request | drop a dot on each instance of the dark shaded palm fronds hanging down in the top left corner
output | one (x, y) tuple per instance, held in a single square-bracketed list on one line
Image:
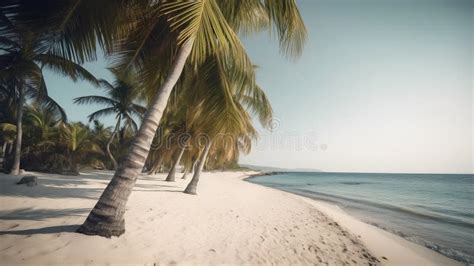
[(74, 27)]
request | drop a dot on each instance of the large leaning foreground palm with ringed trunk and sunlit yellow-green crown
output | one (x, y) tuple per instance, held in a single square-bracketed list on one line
[(196, 30)]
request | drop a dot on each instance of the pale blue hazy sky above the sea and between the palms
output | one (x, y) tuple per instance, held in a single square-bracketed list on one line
[(382, 86)]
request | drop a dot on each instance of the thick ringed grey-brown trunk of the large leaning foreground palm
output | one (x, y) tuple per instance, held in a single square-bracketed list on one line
[(107, 217)]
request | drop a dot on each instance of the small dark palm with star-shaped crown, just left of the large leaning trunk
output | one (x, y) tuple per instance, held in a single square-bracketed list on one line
[(121, 102)]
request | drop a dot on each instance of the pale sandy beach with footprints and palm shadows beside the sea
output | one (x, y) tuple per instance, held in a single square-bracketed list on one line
[(229, 221)]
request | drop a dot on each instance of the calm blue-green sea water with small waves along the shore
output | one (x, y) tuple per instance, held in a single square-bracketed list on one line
[(434, 210)]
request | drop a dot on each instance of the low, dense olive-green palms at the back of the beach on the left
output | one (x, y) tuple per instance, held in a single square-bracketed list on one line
[(52, 144)]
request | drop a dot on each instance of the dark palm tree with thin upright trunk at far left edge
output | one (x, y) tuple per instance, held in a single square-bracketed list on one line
[(25, 55)]
